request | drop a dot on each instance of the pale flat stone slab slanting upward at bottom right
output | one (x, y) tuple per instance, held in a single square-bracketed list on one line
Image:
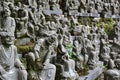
[(93, 74)]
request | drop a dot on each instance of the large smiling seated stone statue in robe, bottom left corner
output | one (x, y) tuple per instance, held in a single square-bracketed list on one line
[(11, 67)]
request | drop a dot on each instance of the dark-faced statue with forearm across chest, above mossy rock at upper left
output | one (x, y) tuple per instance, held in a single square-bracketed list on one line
[(21, 22)]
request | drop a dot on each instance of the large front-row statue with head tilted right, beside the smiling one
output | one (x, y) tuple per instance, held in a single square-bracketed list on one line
[(43, 51)]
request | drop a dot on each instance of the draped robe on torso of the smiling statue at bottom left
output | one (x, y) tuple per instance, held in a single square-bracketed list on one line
[(7, 63)]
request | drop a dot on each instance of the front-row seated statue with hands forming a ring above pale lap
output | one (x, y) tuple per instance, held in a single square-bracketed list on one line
[(65, 66)]
